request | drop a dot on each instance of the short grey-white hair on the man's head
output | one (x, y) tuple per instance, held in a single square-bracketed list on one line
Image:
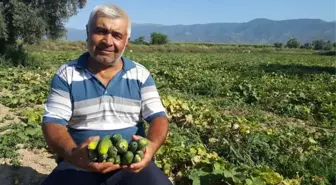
[(110, 11)]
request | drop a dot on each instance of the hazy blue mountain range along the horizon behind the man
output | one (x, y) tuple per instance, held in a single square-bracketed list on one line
[(257, 31)]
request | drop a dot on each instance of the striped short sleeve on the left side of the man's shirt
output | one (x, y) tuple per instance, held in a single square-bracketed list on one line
[(58, 107)]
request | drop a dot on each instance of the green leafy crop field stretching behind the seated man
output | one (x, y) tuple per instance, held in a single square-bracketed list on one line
[(235, 117)]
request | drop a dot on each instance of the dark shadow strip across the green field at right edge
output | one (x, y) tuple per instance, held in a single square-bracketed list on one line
[(297, 69)]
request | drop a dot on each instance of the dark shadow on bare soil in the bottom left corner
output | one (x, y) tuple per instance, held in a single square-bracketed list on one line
[(22, 175)]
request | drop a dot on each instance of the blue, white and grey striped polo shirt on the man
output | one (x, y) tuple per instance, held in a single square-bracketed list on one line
[(80, 101)]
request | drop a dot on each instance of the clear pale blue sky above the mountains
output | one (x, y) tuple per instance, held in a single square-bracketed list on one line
[(186, 12)]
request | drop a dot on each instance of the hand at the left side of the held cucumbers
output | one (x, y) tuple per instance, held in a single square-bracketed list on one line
[(79, 157)]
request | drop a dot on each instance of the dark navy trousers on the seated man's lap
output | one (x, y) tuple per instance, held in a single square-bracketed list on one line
[(150, 175)]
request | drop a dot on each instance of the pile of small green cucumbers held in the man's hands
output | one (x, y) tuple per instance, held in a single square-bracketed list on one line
[(117, 150)]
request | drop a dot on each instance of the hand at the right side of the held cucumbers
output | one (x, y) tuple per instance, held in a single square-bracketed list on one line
[(149, 152)]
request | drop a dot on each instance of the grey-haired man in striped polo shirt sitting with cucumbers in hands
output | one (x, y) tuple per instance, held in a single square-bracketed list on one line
[(102, 93)]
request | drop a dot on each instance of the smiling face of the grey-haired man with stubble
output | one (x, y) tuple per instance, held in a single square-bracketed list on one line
[(107, 39)]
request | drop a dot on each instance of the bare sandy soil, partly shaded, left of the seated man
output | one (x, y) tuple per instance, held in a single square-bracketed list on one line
[(35, 164)]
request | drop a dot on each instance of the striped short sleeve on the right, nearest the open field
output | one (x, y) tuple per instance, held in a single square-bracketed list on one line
[(151, 106)]
